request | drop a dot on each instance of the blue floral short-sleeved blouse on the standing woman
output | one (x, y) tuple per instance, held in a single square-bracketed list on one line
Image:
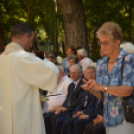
[(113, 105)]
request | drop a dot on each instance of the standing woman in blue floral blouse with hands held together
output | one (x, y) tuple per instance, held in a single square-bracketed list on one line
[(110, 86)]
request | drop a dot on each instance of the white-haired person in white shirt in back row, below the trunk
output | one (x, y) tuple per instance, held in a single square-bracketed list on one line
[(84, 60)]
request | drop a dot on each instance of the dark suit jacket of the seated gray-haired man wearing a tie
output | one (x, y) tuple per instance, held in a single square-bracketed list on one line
[(76, 97)]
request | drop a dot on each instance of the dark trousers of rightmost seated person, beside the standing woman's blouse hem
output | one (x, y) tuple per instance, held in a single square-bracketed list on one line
[(97, 129)]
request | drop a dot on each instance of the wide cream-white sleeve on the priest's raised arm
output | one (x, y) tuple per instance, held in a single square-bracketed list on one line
[(40, 73)]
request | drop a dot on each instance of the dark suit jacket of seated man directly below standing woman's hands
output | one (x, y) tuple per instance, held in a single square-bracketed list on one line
[(89, 100)]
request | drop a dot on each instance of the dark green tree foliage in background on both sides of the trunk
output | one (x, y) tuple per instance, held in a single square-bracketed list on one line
[(37, 13)]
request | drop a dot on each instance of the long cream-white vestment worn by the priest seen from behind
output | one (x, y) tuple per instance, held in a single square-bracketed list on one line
[(21, 76)]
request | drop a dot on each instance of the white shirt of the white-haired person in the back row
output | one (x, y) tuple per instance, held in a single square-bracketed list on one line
[(85, 62)]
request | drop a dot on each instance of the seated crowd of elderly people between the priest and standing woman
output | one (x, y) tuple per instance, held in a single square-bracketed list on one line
[(81, 112)]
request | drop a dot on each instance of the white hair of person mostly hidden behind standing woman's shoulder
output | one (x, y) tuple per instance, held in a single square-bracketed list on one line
[(128, 47)]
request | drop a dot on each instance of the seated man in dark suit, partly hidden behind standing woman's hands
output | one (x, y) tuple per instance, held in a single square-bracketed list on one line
[(85, 111)]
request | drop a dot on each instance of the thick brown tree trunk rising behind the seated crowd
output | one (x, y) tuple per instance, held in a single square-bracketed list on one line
[(74, 23)]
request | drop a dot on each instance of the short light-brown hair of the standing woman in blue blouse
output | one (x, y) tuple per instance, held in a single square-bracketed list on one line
[(112, 29)]
